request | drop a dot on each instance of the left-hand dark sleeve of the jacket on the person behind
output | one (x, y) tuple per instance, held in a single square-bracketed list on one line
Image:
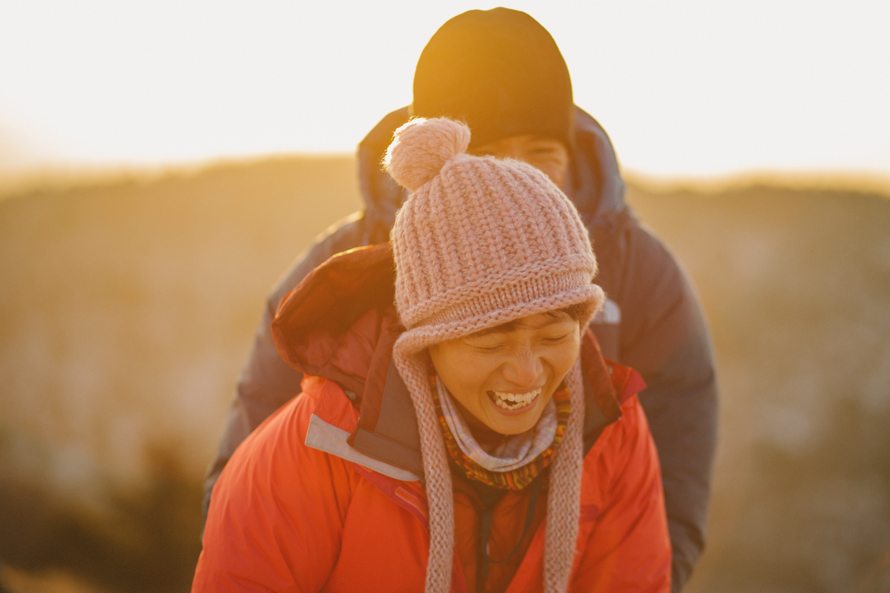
[(266, 381)]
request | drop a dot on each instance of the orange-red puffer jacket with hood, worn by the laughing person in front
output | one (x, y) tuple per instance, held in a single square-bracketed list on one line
[(326, 496)]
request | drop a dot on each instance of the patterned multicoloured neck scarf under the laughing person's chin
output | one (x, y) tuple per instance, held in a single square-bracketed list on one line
[(513, 474)]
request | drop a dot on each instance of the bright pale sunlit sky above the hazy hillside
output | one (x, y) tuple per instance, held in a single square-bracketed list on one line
[(685, 88)]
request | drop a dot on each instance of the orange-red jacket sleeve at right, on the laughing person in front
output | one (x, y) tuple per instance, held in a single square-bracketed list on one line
[(628, 549)]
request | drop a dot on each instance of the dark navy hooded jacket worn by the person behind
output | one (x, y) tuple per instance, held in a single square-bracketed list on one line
[(652, 322)]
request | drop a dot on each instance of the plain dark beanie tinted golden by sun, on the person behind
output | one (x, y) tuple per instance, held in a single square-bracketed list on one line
[(499, 71)]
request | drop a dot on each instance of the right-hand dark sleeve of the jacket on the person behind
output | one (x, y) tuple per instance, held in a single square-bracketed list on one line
[(664, 337)]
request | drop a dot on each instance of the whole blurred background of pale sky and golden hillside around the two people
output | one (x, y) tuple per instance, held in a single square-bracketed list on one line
[(162, 164)]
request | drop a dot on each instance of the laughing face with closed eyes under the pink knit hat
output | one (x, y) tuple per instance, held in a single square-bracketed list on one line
[(506, 376)]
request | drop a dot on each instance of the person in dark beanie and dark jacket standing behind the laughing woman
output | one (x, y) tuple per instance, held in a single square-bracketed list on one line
[(502, 73)]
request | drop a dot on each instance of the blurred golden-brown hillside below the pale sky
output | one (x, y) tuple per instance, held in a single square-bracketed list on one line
[(128, 308)]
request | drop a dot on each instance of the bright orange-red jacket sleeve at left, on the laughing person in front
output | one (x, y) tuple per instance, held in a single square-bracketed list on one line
[(278, 510)]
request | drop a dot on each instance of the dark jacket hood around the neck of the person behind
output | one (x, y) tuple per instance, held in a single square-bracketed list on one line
[(597, 188)]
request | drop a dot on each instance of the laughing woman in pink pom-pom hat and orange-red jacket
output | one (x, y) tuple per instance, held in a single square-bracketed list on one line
[(468, 438)]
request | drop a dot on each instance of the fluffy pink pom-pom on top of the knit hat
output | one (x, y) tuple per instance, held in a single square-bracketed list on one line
[(421, 147)]
